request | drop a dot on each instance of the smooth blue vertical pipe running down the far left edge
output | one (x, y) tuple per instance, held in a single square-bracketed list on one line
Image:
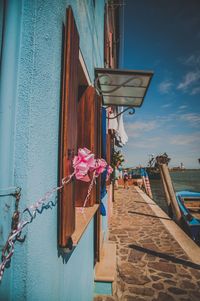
[(8, 98)]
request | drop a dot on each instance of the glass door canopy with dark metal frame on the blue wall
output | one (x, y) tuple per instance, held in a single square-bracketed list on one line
[(122, 87)]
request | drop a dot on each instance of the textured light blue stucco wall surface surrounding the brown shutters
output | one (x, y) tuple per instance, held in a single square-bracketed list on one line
[(36, 271)]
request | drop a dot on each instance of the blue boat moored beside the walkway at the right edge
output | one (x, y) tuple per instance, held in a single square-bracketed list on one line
[(189, 204)]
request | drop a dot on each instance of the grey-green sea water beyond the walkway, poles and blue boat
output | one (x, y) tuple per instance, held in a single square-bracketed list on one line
[(182, 180)]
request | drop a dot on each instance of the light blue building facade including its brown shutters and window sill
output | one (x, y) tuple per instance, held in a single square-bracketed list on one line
[(48, 104)]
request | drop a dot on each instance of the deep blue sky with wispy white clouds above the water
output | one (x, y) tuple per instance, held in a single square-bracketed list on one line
[(164, 36)]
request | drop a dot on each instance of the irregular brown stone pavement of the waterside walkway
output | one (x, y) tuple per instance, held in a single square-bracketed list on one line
[(150, 263)]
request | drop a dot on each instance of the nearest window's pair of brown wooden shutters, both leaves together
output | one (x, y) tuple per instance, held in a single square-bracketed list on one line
[(79, 127)]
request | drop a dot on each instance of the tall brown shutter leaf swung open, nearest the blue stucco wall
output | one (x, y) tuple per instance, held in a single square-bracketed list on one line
[(68, 128)]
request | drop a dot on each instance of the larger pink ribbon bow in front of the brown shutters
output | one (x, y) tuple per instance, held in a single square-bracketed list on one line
[(83, 163)]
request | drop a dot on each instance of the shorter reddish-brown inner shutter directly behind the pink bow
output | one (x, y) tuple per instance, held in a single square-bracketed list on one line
[(88, 137)]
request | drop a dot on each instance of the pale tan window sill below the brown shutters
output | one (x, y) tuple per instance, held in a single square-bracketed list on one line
[(82, 221)]
